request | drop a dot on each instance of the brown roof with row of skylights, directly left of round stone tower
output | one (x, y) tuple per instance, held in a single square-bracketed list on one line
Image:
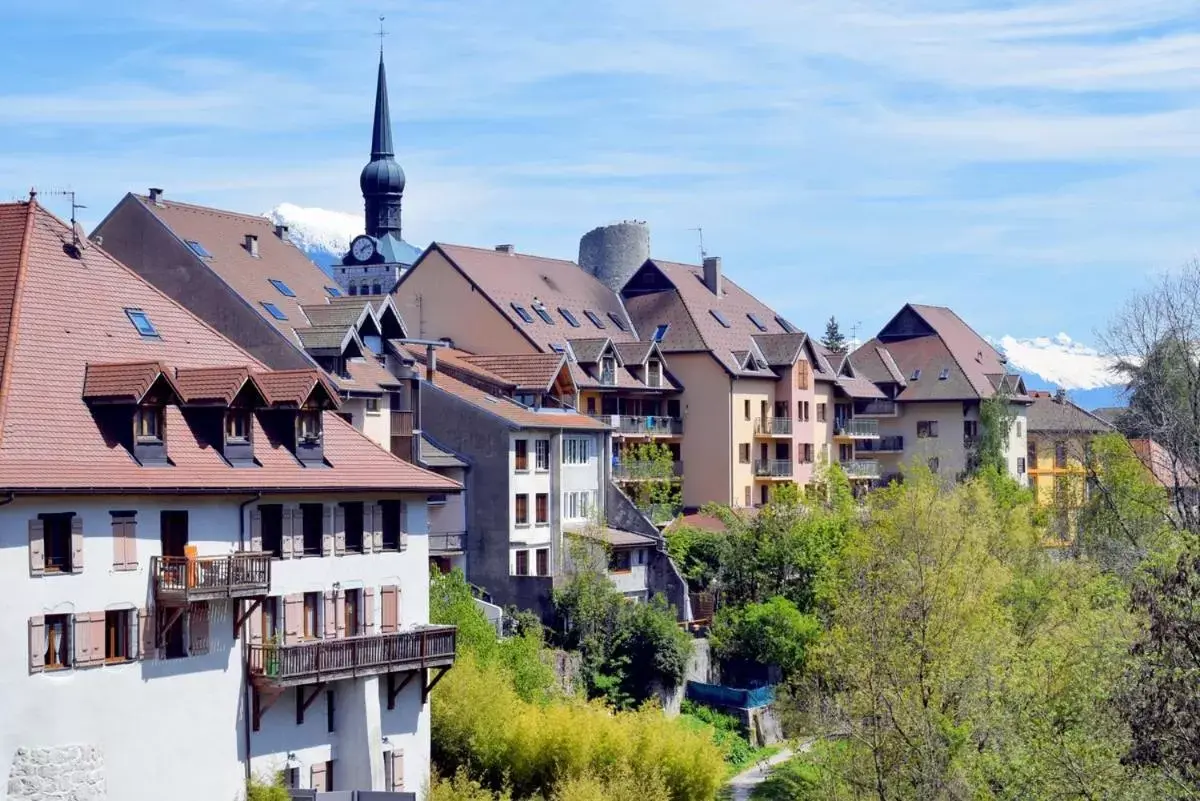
[(508, 279)]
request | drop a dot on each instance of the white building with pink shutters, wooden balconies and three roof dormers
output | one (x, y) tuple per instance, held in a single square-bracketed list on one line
[(208, 568)]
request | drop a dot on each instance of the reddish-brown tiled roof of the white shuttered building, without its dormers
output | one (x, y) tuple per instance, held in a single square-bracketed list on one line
[(51, 442)]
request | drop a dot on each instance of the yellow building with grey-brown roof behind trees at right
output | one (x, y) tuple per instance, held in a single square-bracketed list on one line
[(1060, 437)]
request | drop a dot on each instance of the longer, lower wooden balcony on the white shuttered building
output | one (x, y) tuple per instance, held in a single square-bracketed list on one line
[(369, 655)]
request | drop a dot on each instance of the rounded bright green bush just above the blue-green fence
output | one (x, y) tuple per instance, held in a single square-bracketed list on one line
[(773, 633)]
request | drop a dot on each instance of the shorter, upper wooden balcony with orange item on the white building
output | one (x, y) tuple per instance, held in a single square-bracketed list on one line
[(179, 581)]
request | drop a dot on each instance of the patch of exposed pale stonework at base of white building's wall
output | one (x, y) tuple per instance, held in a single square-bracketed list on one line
[(58, 774)]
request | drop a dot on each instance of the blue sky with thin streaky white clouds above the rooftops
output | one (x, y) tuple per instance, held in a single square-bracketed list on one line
[(1029, 164)]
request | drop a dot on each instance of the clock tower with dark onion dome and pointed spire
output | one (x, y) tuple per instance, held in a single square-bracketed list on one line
[(380, 257)]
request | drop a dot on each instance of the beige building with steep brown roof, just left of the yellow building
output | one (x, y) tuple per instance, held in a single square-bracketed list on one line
[(935, 372)]
